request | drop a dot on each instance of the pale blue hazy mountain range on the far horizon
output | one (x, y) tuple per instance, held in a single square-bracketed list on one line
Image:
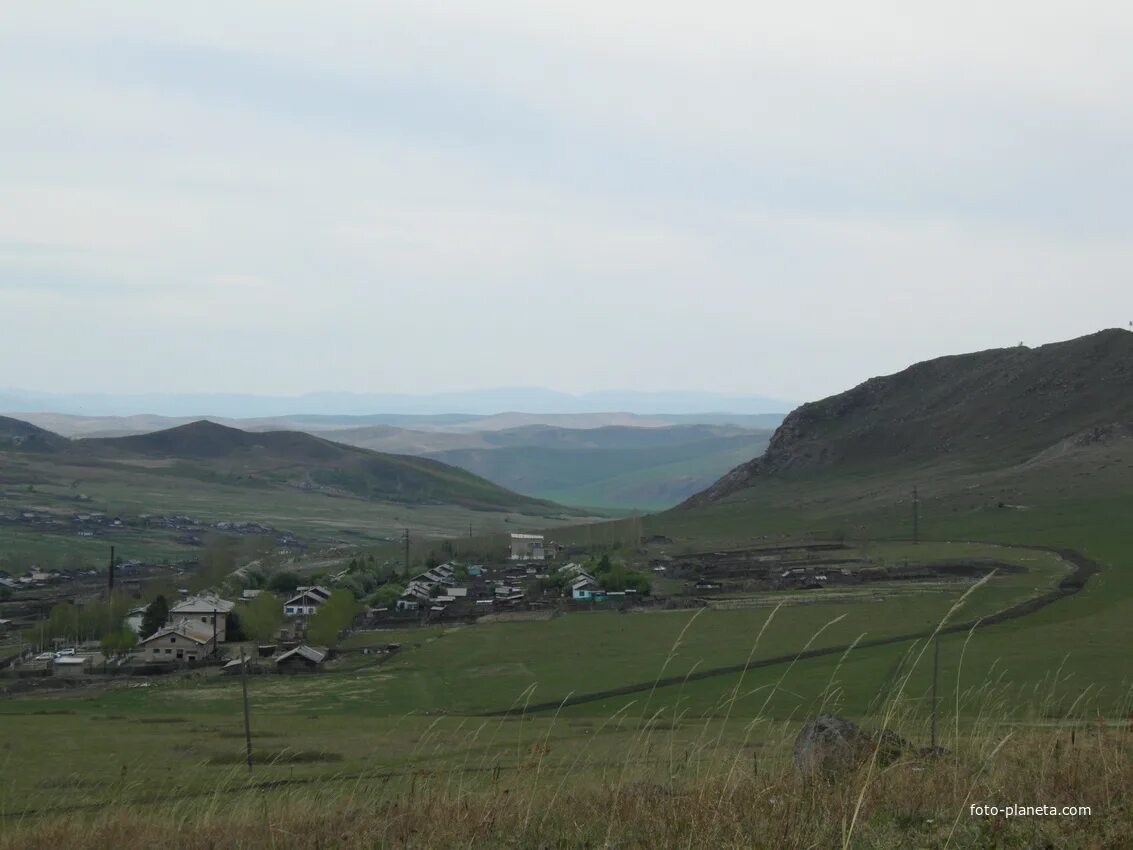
[(476, 403)]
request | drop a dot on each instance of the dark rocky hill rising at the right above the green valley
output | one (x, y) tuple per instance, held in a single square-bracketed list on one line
[(975, 413)]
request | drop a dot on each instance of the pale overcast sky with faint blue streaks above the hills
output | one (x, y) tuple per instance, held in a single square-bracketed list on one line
[(782, 199)]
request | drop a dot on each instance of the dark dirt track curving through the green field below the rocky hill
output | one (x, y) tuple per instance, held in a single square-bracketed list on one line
[(1084, 569)]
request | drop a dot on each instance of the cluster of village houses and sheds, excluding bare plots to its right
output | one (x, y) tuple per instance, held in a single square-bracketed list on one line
[(205, 630)]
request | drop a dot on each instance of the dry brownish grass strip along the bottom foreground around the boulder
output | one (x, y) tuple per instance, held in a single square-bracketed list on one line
[(913, 803)]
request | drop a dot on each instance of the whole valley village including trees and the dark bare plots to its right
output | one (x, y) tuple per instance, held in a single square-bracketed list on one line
[(260, 624)]
